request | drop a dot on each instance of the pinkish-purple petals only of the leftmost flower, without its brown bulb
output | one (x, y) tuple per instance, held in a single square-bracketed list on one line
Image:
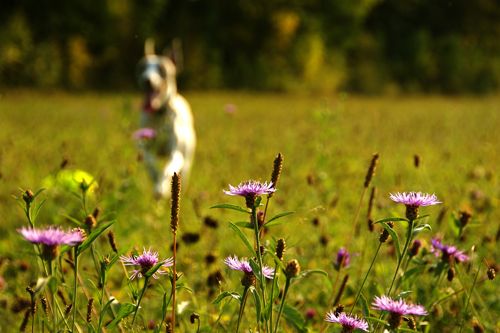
[(50, 236)]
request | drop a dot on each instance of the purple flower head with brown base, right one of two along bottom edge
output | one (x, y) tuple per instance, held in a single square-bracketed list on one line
[(398, 309)]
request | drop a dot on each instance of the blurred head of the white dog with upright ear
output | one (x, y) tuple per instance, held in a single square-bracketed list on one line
[(156, 75)]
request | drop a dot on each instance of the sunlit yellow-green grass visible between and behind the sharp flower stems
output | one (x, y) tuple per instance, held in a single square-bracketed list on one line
[(328, 139)]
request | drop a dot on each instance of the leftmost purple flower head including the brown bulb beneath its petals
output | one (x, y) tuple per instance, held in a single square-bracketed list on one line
[(50, 238)]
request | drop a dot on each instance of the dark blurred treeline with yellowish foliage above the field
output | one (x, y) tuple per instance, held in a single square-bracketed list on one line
[(364, 46)]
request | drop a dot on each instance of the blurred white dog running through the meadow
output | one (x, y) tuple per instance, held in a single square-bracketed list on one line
[(166, 135)]
